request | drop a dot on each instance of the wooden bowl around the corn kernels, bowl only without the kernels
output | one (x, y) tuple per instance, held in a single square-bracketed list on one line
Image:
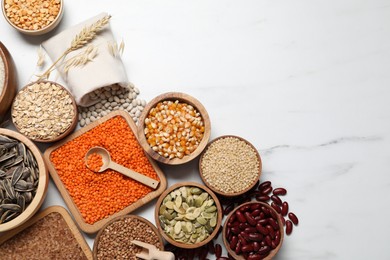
[(183, 98)]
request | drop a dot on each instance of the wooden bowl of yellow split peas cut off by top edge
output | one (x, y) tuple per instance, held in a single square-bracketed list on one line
[(33, 17)]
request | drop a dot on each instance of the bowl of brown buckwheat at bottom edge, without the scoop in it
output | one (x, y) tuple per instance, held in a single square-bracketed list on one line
[(114, 239)]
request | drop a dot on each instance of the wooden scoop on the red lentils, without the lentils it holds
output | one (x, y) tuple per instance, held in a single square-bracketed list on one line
[(108, 164)]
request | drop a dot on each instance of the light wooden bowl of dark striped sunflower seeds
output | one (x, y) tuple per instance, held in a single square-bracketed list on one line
[(23, 179)]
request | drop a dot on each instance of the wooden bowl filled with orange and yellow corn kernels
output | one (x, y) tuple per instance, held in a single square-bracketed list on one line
[(174, 128)]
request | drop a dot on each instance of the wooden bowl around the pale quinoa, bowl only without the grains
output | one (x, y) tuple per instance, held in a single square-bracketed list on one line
[(225, 194)]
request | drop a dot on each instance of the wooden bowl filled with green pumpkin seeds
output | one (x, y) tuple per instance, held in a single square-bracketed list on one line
[(188, 215)]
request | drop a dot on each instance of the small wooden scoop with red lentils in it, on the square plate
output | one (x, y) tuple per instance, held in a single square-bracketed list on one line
[(99, 153)]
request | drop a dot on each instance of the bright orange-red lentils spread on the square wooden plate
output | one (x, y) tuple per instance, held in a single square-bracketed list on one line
[(99, 195)]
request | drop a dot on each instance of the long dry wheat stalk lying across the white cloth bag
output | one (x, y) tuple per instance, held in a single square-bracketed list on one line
[(86, 35)]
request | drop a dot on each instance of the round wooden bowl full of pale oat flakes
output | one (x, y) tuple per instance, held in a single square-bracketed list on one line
[(44, 111)]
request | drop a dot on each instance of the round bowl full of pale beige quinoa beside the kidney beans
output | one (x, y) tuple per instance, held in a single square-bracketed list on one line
[(230, 165)]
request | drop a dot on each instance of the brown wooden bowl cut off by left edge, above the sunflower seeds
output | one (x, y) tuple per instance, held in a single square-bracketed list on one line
[(10, 81)]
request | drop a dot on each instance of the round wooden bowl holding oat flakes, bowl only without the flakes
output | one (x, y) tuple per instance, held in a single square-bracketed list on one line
[(66, 132)]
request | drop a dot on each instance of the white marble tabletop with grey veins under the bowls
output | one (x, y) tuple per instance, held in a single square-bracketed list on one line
[(307, 82)]
